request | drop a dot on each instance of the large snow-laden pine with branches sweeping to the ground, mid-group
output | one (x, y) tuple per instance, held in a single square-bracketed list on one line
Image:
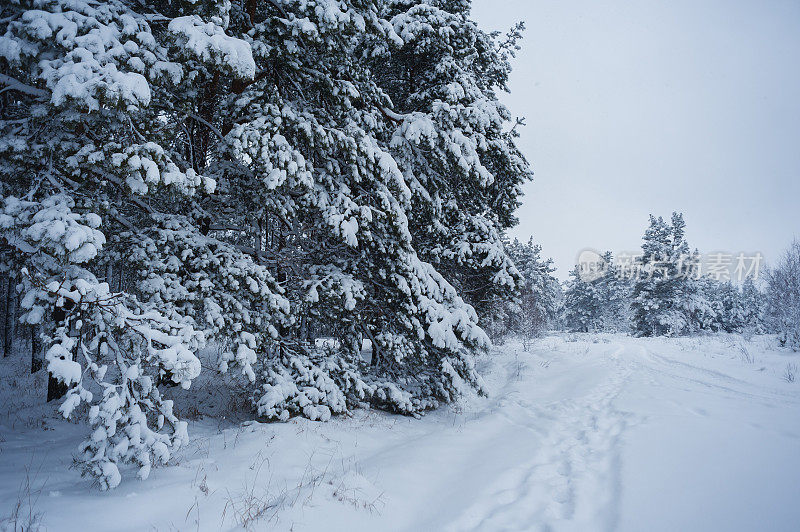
[(308, 159)]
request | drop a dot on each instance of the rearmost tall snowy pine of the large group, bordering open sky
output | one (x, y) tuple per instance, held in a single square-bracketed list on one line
[(450, 137)]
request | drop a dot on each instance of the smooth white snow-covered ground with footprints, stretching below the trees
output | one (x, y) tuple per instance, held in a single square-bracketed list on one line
[(580, 432)]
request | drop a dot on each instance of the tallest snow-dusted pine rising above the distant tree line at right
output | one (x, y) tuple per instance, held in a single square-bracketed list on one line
[(665, 297)]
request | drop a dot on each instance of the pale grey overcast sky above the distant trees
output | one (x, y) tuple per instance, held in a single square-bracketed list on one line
[(647, 107)]
